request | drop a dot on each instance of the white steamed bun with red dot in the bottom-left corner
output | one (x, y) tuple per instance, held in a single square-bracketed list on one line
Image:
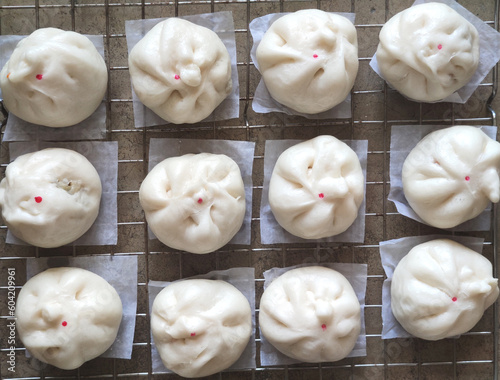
[(67, 316)]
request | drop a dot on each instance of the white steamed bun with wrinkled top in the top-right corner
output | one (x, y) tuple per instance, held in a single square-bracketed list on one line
[(428, 51)]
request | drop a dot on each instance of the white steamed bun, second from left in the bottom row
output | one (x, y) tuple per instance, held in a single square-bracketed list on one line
[(200, 327)]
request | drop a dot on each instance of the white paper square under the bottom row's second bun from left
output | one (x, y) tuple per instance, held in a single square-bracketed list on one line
[(243, 280)]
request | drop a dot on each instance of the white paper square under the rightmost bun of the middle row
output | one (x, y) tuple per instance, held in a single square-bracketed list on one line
[(403, 140)]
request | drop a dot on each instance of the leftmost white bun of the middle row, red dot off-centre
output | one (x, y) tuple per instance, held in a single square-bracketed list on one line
[(51, 197)]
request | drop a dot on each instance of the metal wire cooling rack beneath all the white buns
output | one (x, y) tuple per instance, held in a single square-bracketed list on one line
[(375, 109)]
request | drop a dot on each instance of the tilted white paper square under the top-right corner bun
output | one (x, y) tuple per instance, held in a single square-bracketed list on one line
[(489, 53)]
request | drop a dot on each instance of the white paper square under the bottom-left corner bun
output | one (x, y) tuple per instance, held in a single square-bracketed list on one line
[(121, 273)]
